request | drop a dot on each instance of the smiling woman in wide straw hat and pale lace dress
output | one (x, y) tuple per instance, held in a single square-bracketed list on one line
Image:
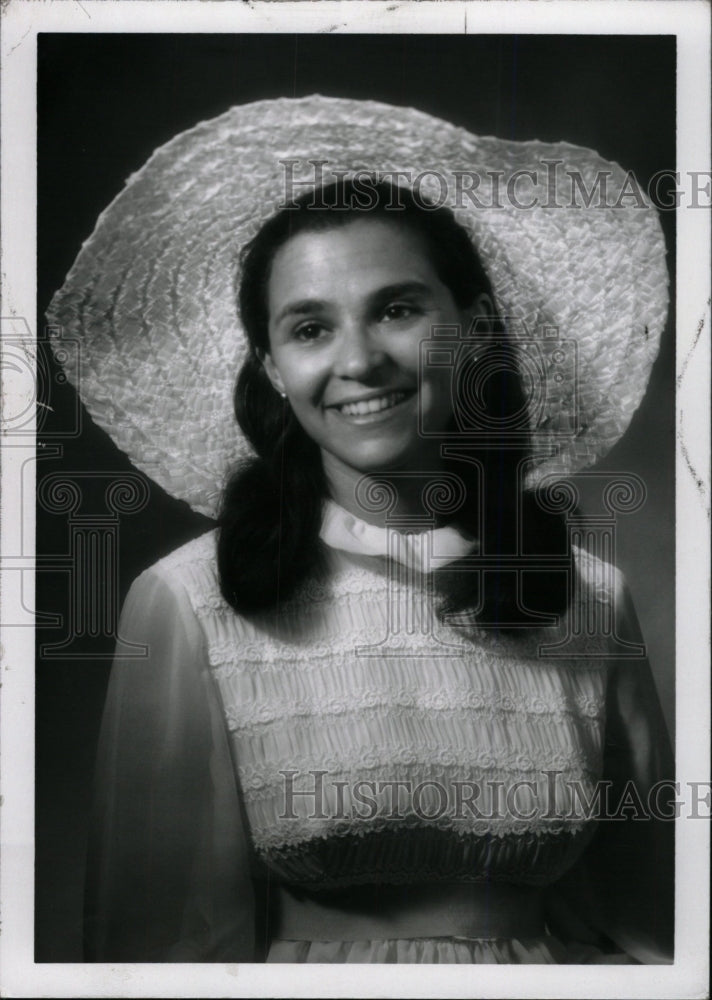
[(355, 736)]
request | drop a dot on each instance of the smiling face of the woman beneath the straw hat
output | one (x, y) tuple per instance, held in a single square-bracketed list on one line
[(348, 309)]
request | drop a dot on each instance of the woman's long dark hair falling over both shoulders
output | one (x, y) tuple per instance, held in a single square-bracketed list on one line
[(272, 507)]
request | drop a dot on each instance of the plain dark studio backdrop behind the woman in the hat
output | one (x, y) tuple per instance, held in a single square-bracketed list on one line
[(105, 102)]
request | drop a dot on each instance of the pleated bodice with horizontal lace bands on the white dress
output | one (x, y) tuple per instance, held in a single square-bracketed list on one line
[(354, 685)]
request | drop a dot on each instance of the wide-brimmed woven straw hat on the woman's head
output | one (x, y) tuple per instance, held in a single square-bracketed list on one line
[(151, 295)]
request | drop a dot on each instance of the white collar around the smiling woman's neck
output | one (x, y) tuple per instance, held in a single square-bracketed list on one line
[(424, 551)]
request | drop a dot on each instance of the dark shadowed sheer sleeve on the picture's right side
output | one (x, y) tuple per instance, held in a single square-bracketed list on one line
[(623, 888)]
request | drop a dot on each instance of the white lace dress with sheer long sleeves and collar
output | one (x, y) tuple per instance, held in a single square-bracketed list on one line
[(349, 780)]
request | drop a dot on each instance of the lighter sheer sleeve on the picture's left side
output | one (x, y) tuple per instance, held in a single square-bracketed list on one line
[(168, 867)]
